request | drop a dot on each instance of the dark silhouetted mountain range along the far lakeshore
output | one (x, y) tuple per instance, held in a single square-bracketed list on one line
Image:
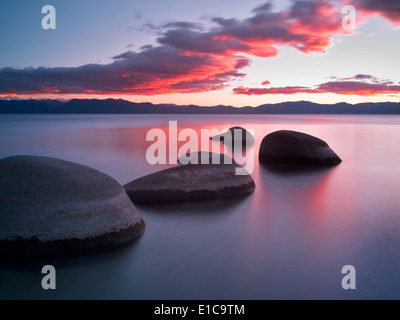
[(119, 106)]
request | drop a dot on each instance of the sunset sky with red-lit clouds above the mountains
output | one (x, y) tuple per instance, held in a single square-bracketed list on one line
[(209, 52)]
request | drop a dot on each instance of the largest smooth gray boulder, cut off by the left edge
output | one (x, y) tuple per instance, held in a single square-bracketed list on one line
[(50, 206)]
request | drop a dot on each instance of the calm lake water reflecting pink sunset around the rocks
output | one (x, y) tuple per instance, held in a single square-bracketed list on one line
[(287, 240)]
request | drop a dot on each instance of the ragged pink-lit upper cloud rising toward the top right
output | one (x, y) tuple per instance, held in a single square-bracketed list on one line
[(307, 26)]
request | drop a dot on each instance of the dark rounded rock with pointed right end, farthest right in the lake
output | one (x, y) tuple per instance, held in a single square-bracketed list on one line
[(296, 148)]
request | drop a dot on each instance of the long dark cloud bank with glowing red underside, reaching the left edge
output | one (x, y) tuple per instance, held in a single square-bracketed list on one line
[(155, 70)]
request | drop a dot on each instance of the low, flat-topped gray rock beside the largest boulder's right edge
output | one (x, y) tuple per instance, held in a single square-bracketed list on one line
[(190, 183)]
